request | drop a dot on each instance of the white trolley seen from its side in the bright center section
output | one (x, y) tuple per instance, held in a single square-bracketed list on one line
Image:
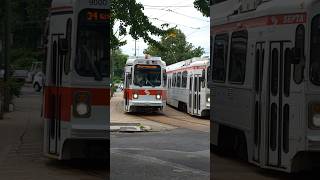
[(187, 86)]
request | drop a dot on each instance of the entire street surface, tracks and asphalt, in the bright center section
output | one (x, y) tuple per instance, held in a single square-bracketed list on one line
[(177, 147)]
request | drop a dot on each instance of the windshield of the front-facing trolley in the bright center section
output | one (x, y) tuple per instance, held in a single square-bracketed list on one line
[(147, 75)]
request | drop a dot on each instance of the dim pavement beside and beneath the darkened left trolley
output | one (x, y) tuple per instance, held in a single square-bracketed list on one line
[(21, 144)]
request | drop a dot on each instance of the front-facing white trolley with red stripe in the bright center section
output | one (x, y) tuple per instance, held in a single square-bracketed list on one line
[(145, 81)]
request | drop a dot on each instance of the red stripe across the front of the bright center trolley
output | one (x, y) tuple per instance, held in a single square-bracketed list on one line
[(142, 92)]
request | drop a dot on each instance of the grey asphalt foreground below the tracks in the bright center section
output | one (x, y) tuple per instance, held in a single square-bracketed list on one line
[(176, 154)]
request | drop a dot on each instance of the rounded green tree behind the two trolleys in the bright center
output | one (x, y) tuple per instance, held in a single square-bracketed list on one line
[(176, 48)]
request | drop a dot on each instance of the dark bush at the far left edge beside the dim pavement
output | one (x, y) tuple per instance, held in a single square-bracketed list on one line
[(9, 90)]
